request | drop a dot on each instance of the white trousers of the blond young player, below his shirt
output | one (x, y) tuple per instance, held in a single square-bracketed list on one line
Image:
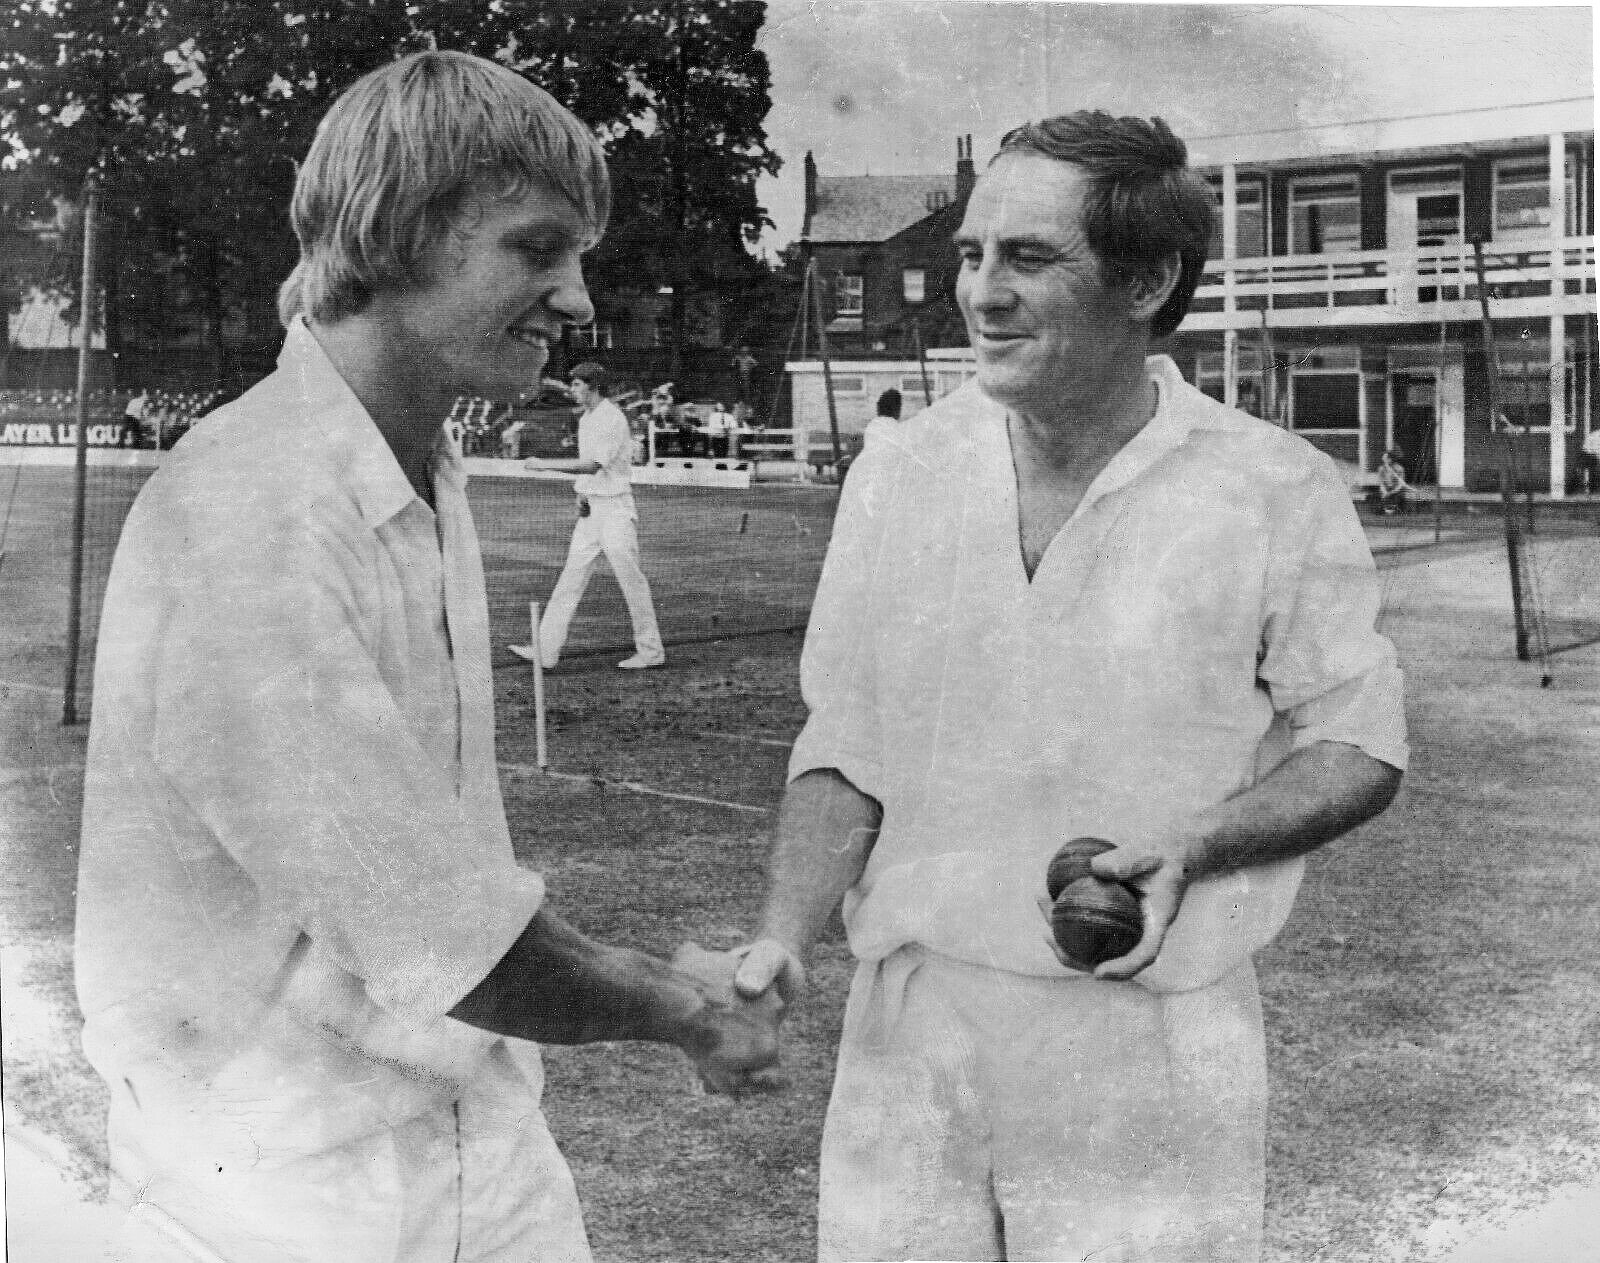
[(476, 1181)]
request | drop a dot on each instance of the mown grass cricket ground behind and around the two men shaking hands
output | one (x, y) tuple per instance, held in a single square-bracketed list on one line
[(1431, 1016)]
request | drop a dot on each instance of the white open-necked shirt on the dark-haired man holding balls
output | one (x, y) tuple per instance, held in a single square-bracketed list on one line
[(1209, 607)]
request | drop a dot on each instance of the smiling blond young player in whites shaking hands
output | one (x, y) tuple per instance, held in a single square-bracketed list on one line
[(310, 966)]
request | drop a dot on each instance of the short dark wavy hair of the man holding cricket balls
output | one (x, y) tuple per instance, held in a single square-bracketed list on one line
[(1143, 202)]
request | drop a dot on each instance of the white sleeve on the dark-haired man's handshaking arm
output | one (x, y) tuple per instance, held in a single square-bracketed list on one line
[(839, 664)]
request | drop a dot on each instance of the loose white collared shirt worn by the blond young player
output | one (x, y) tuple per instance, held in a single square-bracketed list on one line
[(295, 854)]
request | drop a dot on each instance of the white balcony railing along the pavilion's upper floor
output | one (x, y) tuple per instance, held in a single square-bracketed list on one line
[(1390, 279)]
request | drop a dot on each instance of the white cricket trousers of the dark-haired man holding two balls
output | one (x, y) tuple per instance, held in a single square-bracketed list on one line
[(983, 1115)]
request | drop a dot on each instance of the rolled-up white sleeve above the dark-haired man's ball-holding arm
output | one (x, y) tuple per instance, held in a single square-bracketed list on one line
[(1324, 662)]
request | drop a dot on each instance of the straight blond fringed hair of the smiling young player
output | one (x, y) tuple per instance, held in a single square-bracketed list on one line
[(401, 154)]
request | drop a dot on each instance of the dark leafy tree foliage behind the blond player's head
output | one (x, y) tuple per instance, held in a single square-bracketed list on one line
[(194, 113)]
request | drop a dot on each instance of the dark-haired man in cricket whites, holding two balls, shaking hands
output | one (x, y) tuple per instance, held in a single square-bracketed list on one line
[(1081, 601)]
